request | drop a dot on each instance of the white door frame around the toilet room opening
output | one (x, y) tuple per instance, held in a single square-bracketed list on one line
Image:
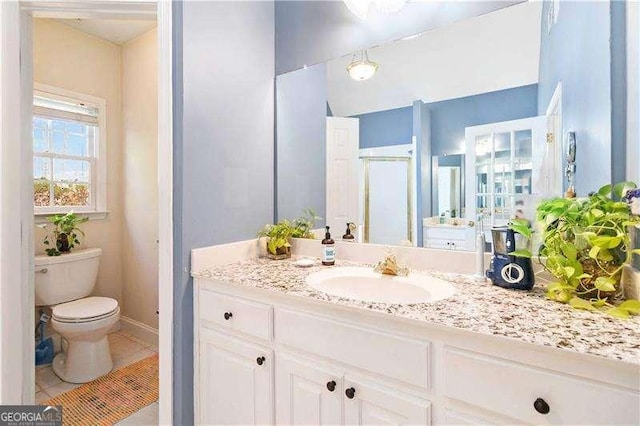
[(17, 224)]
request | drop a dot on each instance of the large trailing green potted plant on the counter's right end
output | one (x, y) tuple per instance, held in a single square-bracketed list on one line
[(585, 244)]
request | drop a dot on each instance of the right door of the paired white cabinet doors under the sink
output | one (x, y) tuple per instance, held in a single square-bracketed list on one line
[(369, 404)]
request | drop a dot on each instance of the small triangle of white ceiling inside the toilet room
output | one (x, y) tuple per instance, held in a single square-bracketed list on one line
[(118, 31)]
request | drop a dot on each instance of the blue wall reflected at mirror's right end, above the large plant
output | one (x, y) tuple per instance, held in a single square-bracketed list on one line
[(577, 53)]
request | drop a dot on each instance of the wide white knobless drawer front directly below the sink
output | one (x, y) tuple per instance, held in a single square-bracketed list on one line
[(396, 357)]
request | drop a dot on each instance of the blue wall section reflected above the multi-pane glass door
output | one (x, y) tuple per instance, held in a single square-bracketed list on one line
[(450, 117)]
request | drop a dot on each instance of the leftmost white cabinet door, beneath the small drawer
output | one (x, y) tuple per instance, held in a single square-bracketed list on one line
[(235, 380)]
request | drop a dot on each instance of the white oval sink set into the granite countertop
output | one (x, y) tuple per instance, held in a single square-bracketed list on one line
[(367, 285)]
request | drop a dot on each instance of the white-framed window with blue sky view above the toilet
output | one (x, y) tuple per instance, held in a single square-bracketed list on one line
[(68, 152)]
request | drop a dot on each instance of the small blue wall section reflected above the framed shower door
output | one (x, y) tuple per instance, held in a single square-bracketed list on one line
[(390, 127)]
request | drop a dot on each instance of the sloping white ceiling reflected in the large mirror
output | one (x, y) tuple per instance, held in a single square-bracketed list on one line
[(491, 52)]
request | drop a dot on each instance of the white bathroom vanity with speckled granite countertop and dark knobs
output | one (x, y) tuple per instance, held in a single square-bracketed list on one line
[(270, 349)]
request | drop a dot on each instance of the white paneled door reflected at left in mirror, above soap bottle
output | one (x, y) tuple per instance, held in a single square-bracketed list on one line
[(342, 173)]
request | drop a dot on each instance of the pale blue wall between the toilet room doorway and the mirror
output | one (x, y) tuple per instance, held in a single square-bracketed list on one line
[(224, 147)]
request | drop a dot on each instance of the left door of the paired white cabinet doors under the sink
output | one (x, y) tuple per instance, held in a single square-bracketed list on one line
[(306, 393)]
